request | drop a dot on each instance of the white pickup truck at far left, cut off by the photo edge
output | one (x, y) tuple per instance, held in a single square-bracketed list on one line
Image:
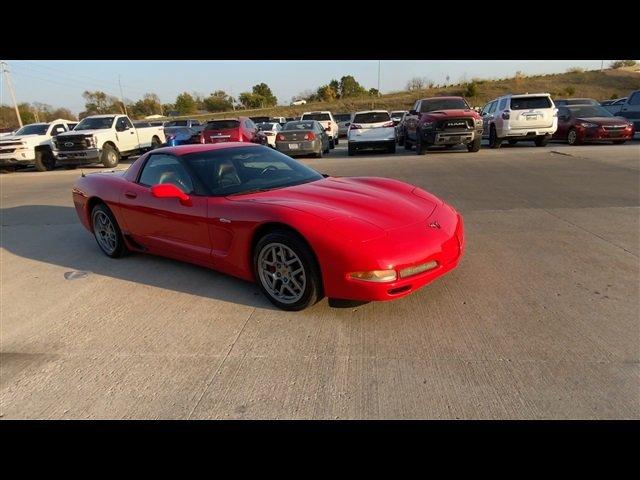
[(31, 144)]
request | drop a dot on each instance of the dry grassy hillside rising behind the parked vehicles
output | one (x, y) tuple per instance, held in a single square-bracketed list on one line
[(594, 84)]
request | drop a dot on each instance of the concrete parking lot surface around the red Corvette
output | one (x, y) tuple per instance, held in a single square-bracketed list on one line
[(541, 320)]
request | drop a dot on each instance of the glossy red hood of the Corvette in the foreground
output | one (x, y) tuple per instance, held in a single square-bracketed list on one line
[(387, 204)]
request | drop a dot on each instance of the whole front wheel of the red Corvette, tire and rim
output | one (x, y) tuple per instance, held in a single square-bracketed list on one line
[(286, 271)]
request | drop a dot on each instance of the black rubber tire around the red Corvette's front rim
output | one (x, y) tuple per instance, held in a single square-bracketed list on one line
[(312, 291)]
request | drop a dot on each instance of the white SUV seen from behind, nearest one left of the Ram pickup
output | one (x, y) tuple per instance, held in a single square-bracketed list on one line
[(371, 129)]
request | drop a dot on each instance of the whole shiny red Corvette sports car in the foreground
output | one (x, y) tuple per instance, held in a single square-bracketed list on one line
[(255, 213)]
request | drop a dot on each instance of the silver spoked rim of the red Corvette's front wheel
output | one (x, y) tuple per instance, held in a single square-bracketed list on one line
[(282, 273)]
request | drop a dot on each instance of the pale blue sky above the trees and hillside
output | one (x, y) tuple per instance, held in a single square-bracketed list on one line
[(61, 83)]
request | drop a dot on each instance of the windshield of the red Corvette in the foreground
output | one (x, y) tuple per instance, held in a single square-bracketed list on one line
[(232, 171)]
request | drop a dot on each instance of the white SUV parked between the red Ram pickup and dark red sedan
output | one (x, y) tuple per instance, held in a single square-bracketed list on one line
[(520, 117)]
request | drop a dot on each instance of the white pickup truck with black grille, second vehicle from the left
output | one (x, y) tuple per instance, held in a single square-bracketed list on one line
[(105, 139)]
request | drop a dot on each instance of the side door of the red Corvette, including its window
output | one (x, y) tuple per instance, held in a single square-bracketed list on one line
[(165, 225)]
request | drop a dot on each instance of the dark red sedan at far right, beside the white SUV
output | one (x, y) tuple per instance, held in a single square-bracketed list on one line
[(591, 123)]
